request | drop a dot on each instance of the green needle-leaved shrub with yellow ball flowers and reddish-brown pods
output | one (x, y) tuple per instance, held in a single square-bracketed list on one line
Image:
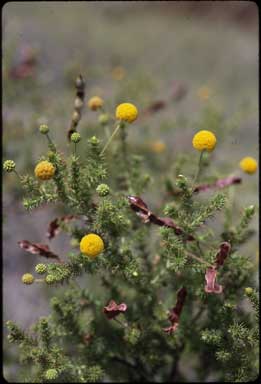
[(145, 263)]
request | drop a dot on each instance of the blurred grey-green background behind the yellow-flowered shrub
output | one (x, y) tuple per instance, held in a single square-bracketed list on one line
[(186, 65)]
